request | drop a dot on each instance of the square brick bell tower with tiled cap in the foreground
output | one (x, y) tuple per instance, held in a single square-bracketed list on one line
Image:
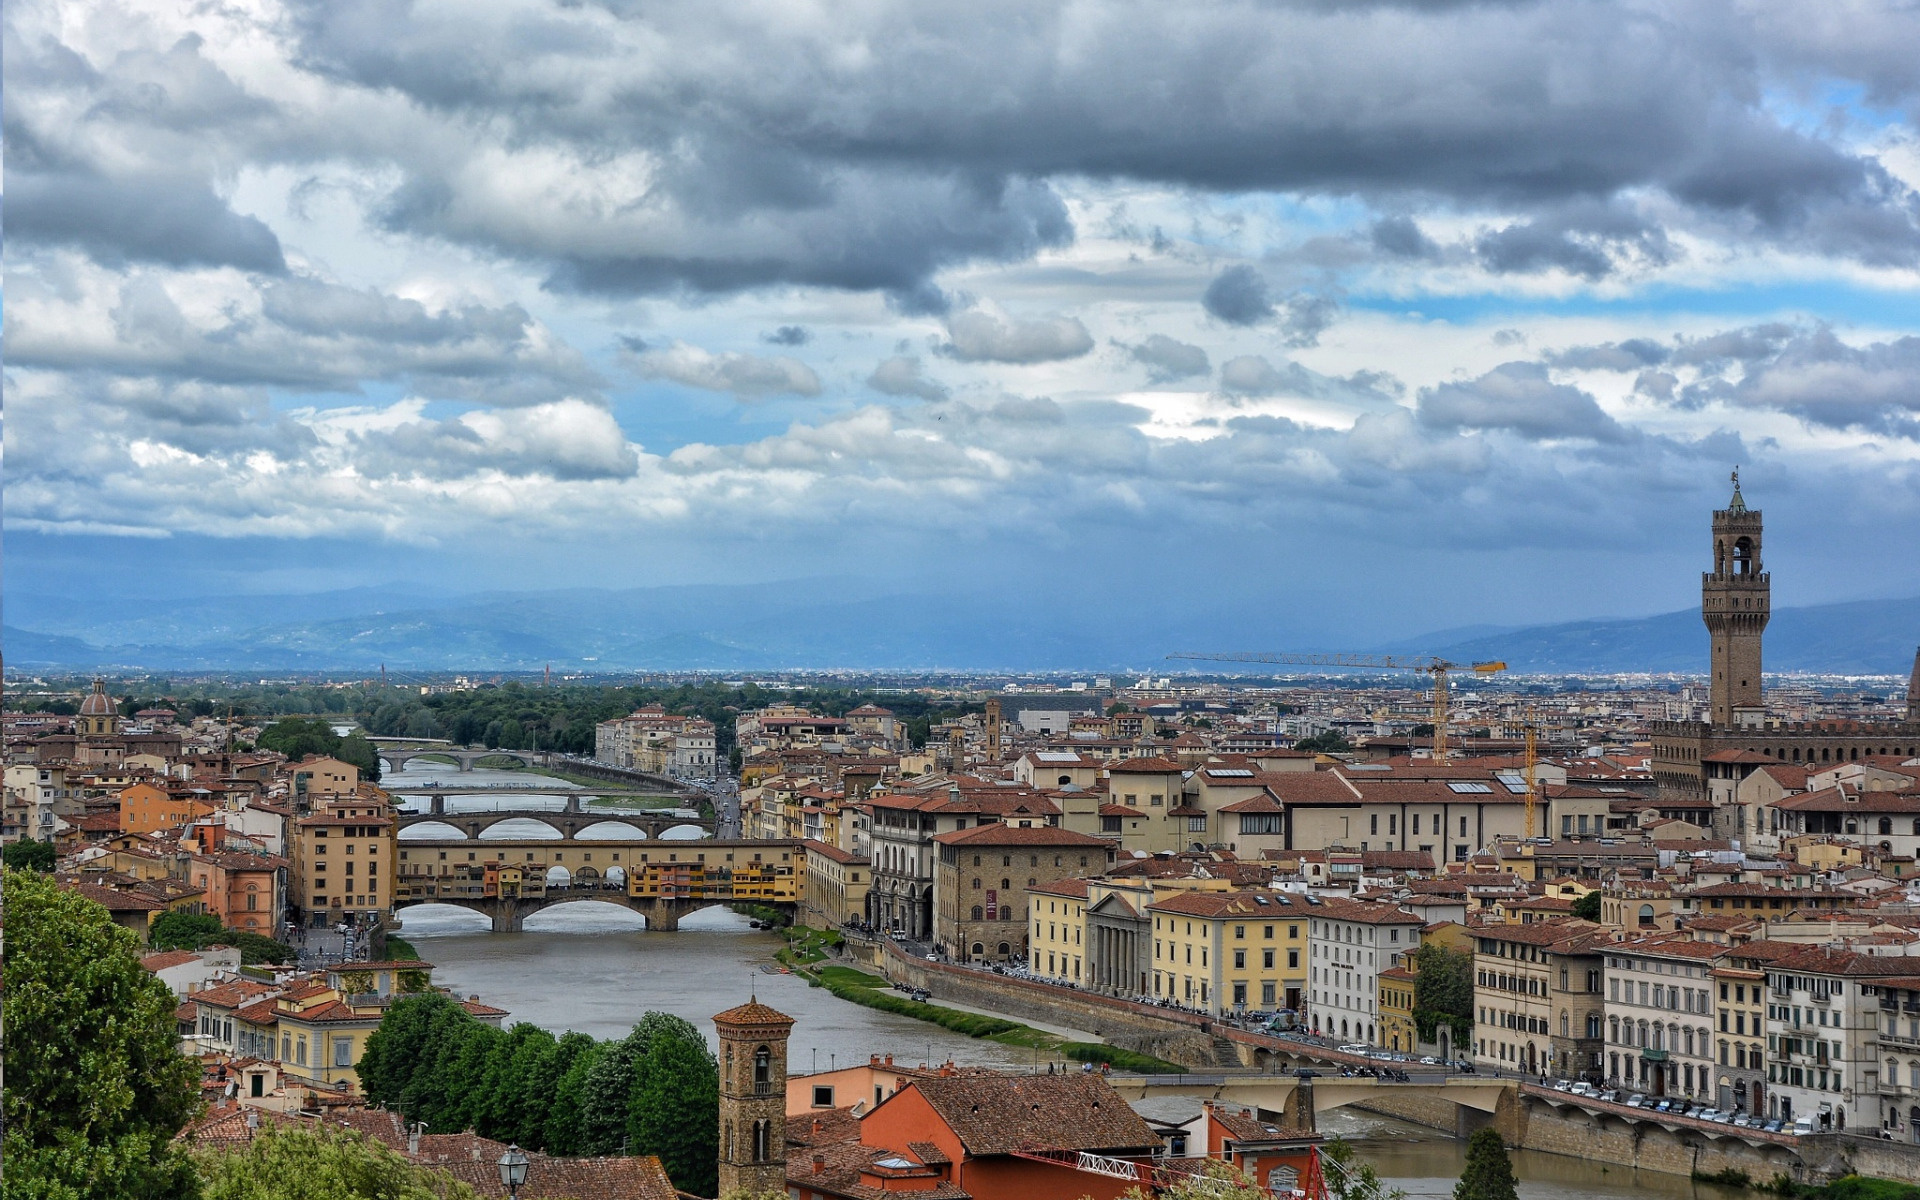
[(754, 1099)]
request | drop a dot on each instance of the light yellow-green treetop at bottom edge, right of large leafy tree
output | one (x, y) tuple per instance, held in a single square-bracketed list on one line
[(320, 1164)]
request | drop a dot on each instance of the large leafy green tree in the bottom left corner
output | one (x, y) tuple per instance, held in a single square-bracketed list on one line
[(95, 1082)]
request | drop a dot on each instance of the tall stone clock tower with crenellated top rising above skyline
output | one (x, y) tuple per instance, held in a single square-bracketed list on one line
[(1735, 604)]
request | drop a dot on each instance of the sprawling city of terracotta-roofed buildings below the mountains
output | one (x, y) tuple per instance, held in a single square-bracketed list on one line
[(1685, 903)]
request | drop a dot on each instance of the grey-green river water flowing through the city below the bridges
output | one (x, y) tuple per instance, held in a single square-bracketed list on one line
[(598, 971)]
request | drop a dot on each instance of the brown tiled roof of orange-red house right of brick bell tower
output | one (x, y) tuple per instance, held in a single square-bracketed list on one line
[(997, 1115)]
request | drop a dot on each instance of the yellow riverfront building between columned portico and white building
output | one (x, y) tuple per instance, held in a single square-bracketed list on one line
[(1232, 951)]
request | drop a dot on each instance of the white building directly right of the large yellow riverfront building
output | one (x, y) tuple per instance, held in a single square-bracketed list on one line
[(1349, 946)]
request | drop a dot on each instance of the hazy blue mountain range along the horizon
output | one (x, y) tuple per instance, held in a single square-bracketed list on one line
[(805, 625)]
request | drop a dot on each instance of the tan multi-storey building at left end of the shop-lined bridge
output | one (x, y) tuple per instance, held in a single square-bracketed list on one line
[(345, 859)]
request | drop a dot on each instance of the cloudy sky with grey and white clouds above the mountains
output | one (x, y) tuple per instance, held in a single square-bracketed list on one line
[(1406, 314)]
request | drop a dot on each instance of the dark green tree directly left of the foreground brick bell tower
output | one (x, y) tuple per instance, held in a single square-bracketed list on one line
[(677, 1105)]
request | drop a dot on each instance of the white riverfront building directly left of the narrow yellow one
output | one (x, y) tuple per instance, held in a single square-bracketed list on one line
[(1660, 1017)]
